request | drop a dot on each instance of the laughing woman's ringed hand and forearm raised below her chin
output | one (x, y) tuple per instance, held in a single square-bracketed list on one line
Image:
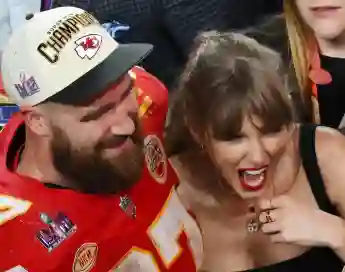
[(286, 221)]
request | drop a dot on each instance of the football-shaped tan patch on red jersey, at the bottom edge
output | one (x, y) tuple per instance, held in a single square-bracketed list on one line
[(85, 257)]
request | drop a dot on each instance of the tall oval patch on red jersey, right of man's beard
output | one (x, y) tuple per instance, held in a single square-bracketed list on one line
[(156, 159)]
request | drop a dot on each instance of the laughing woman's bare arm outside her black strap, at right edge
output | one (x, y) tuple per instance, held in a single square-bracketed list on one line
[(330, 147)]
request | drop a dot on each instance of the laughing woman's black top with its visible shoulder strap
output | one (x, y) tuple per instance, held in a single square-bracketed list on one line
[(317, 259)]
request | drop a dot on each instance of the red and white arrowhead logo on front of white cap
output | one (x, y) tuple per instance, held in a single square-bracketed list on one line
[(88, 46)]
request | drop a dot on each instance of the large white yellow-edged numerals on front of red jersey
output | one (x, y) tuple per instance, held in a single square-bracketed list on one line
[(165, 232)]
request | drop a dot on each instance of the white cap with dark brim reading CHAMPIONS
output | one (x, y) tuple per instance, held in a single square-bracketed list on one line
[(64, 55)]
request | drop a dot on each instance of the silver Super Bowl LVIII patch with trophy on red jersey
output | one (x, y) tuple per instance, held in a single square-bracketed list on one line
[(57, 230)]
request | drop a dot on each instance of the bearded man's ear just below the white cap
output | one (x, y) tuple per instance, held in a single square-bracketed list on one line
[(37, 121)]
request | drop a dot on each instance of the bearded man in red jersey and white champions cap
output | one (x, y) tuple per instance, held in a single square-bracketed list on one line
[(76, 191)]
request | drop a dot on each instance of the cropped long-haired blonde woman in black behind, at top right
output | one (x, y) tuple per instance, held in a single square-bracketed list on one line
[(316, 38)]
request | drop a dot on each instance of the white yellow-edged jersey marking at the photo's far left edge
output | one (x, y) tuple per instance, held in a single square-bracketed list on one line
[(11, 207)]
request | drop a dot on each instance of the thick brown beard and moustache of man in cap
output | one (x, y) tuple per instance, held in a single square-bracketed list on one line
[(86, 170)]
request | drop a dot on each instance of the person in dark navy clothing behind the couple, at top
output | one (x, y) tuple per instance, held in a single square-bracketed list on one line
[(172, 25)]
